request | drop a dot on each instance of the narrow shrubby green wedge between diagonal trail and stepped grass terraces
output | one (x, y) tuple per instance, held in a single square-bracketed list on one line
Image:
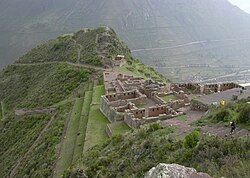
[(40, 162)]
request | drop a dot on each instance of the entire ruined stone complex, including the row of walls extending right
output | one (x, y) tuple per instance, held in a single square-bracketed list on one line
[(137, 101)]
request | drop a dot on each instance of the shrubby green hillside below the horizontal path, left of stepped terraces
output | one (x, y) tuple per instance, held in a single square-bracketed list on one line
[(52, 84)]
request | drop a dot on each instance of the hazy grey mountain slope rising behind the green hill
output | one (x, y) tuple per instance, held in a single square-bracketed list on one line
[(210, 33)]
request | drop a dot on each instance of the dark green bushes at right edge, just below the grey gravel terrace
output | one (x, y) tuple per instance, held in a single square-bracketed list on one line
[(238, 112)]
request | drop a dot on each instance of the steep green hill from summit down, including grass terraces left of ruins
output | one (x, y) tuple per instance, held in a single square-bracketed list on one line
[(48, 97)]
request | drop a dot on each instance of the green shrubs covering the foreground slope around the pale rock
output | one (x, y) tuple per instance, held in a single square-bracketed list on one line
[(133, 154)]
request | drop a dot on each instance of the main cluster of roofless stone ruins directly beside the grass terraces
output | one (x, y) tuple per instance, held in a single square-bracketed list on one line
[(137, 101)]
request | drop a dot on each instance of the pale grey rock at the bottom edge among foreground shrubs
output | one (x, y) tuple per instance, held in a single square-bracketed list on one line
[(174, 171)]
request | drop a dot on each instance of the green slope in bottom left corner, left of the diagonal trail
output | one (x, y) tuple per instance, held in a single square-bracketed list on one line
[(16, 138)]
